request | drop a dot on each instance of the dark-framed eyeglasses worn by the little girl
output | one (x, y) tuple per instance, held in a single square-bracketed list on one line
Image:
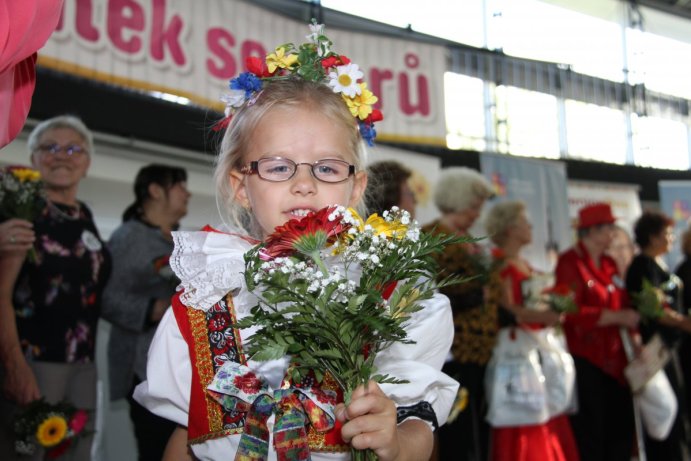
[(278, 169)]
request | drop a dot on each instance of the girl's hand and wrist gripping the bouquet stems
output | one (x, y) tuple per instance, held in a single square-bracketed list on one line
[(370, 422)]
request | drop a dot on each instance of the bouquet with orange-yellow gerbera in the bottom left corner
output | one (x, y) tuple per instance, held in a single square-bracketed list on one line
[(53, 427)]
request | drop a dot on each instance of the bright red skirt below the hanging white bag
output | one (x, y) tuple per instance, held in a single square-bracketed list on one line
[(552, 441)]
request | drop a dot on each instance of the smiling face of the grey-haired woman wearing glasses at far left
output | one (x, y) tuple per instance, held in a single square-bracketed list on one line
[(61, 158)]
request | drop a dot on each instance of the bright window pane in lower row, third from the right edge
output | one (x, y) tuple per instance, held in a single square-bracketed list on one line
[(527, 123)]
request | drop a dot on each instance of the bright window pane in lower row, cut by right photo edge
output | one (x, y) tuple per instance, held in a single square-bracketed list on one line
[(660, 143)]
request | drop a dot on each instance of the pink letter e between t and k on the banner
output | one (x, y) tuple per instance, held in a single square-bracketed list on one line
[(125, 19)]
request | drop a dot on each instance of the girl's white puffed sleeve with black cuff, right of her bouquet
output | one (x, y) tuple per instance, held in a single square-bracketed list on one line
[(429, 394)]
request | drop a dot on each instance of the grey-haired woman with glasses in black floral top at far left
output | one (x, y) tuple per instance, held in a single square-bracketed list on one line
[(49, 305)]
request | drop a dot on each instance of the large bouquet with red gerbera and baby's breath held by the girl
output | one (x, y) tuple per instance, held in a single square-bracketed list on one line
[(335, 289)]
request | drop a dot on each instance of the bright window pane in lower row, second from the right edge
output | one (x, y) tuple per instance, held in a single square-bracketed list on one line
[(595, 132)]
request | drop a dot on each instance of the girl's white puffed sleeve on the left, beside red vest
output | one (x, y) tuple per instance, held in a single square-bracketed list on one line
[(166, 392)]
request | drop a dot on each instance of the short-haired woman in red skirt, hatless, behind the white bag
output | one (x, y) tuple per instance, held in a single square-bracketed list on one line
[(510, 230)]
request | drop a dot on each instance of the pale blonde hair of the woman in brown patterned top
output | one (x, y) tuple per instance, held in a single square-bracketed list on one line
[(459, 188)]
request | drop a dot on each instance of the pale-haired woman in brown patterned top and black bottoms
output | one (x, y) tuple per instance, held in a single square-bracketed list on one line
[(459, 196)]
